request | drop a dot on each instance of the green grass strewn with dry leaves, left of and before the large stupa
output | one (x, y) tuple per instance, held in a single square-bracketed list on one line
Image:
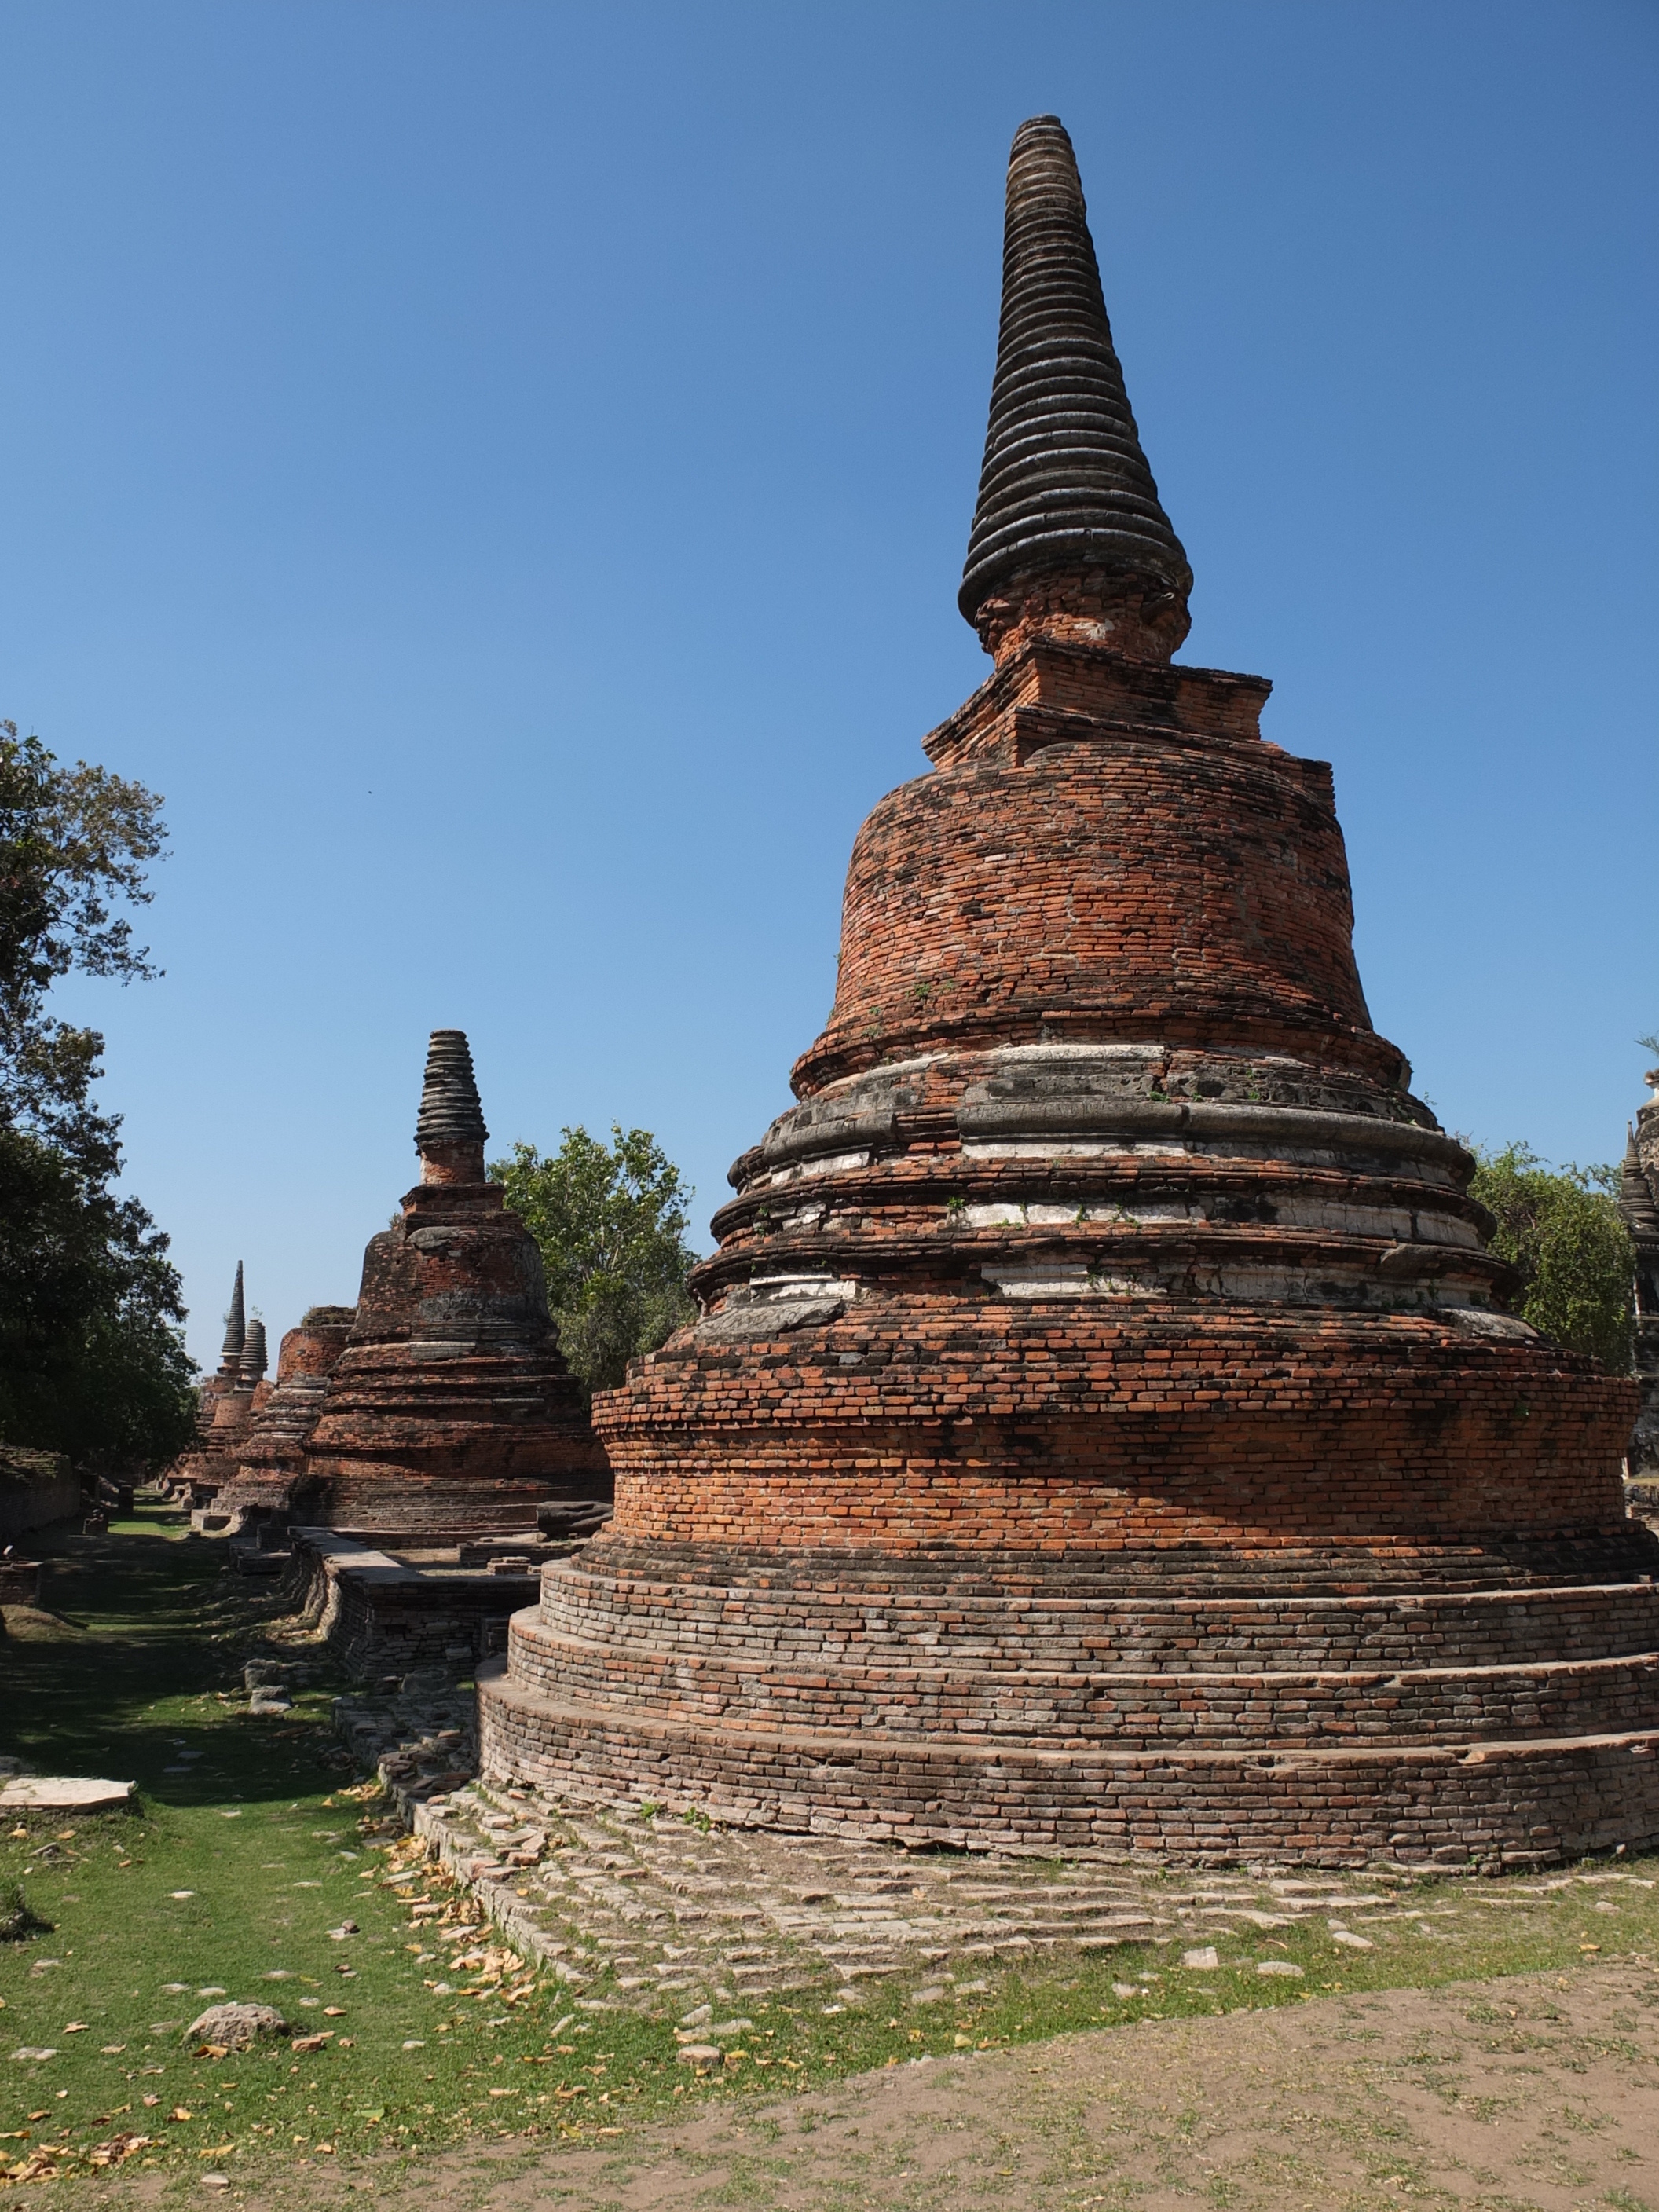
[(253, 1841)]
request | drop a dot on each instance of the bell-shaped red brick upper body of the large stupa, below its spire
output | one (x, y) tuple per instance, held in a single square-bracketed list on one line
[(1118, 881)]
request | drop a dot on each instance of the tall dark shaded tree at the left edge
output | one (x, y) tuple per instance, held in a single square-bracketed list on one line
[(92, 1359)]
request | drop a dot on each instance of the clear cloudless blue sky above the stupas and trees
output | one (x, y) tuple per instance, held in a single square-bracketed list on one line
[(503, 474)]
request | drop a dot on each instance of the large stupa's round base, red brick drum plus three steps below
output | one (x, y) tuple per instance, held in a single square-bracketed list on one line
[(1165, 1653)]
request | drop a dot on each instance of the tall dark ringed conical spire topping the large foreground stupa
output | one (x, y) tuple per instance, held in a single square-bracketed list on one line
[(1065, 483)]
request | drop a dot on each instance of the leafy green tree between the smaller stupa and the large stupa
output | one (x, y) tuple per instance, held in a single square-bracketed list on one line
[(612, 1224)]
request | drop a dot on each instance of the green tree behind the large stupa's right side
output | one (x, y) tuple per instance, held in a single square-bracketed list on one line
[(1567, 1238)]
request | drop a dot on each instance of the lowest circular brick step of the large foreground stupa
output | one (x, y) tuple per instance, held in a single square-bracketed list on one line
[(1505, 1804)]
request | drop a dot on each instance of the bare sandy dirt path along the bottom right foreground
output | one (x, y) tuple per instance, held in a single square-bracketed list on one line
[(1521, 2096)]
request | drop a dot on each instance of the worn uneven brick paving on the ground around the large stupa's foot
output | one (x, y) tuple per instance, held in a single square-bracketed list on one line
[(632, 1912)]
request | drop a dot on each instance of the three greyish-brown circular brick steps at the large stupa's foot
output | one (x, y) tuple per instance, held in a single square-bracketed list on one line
[(1297, 1720)]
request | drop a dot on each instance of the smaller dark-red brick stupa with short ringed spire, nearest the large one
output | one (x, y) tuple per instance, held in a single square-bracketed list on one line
[(450, 1410)]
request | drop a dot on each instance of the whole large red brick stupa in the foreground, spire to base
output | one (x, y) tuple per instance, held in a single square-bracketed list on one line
[(1105, 1426)]
